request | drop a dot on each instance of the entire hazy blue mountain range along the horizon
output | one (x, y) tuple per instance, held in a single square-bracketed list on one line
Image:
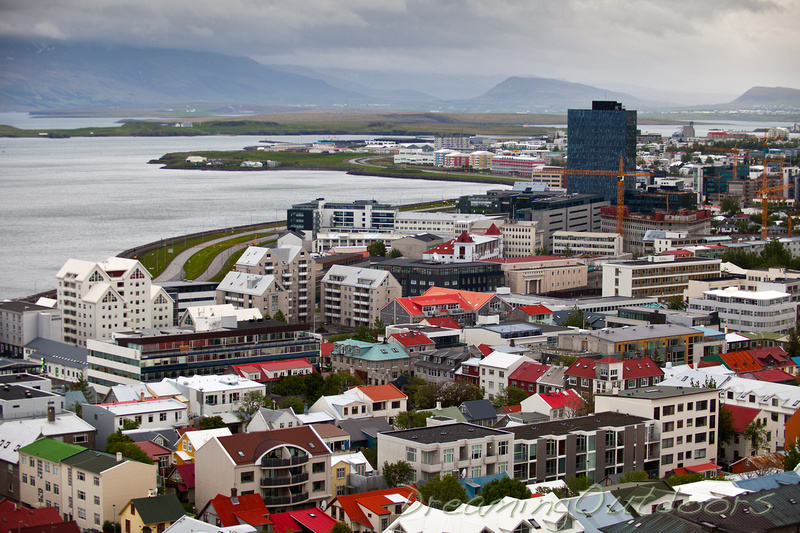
[(48, 76)]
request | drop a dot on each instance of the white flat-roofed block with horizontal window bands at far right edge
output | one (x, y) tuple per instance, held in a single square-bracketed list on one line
[(768, 311)]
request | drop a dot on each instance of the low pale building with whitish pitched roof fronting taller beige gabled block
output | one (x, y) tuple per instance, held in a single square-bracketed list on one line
[(253, 291)]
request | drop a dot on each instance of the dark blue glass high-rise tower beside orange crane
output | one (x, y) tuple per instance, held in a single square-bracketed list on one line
[(597, 137)]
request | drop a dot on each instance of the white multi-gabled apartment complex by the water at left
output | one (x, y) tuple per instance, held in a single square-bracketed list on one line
[(97, 299)]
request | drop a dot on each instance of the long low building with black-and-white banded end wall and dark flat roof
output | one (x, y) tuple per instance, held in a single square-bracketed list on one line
[(152, 355)]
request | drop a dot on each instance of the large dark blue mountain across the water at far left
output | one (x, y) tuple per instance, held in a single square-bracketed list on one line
[(49, 76)]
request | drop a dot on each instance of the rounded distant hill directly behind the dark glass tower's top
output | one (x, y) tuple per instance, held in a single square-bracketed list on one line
[(546, 95)]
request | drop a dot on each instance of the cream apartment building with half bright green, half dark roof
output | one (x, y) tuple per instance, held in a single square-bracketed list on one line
[(83, 485)]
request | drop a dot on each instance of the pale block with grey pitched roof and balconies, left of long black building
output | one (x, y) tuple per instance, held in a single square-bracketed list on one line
[(353, 296)]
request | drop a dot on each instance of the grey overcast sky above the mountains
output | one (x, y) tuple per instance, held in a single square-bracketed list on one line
[(714, 46)]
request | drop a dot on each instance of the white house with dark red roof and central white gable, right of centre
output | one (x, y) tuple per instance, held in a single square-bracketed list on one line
[(599, 375)]
